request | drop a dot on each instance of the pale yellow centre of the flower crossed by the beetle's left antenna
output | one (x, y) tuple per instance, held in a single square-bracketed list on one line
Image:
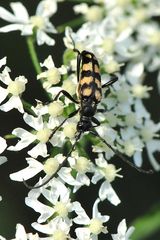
[(51, 166)]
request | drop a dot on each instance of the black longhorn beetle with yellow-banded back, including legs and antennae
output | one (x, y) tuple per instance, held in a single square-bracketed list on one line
[(89, 95)]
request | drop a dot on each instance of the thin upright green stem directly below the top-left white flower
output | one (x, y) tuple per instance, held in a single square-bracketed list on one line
[(33, 54)]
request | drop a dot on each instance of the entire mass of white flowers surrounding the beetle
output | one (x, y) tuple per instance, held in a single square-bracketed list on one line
[(125, 38)]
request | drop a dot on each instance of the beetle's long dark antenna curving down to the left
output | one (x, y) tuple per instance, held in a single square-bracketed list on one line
[(78, 135)]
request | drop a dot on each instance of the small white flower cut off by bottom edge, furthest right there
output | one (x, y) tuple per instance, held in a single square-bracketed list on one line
[(123, 233)]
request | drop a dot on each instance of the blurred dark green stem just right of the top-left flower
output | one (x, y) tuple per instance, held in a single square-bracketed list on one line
[(73, 23)]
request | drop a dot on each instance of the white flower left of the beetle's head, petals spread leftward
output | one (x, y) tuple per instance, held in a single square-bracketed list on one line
[(42, 135)]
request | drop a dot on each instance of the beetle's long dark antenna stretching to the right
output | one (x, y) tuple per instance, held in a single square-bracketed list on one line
[(119, 154)]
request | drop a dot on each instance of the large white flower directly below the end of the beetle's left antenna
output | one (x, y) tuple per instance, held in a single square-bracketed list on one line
[(58, 196)]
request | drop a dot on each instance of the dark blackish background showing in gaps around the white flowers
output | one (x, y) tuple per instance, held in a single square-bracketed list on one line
[(138, 192)]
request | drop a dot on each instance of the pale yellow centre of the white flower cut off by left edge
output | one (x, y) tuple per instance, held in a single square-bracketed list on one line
[(16, 87)]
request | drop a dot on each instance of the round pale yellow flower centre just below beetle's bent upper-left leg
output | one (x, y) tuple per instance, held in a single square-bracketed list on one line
[(55, 108)]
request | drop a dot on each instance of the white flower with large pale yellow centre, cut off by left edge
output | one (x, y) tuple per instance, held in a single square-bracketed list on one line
[(13, 90)]
